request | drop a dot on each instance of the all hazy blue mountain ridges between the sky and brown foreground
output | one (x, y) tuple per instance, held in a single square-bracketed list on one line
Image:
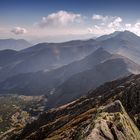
[(68, 70)]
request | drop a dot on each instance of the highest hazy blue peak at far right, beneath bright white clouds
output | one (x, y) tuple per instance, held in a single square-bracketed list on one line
[(124, 43)]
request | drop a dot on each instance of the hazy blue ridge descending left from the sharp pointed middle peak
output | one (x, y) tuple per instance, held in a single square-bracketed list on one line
[(43, 81)]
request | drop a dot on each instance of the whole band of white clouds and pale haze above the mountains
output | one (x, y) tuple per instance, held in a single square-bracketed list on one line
[(69, 25)]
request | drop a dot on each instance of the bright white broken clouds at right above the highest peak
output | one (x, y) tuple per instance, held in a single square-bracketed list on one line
[(109, 24)]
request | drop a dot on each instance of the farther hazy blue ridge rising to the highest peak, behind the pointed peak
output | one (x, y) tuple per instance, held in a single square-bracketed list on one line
[(48, 56)]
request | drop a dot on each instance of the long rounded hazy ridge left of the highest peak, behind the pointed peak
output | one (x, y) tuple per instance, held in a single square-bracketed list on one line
[(47, 56)]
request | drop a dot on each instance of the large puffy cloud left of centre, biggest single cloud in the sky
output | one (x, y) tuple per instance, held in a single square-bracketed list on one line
[(61, 18)]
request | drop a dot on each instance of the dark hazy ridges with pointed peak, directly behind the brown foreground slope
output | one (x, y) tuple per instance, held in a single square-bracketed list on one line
[(69, 82)]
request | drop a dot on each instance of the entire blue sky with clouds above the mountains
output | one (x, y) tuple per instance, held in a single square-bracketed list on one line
[(62, 20)]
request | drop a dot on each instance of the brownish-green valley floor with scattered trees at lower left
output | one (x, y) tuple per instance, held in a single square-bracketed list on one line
[(16, 111)]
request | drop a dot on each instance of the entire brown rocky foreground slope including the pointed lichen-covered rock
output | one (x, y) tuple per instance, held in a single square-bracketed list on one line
[(85, 118)]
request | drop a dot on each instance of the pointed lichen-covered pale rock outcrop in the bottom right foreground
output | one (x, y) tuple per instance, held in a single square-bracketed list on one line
[(113, 123)]
